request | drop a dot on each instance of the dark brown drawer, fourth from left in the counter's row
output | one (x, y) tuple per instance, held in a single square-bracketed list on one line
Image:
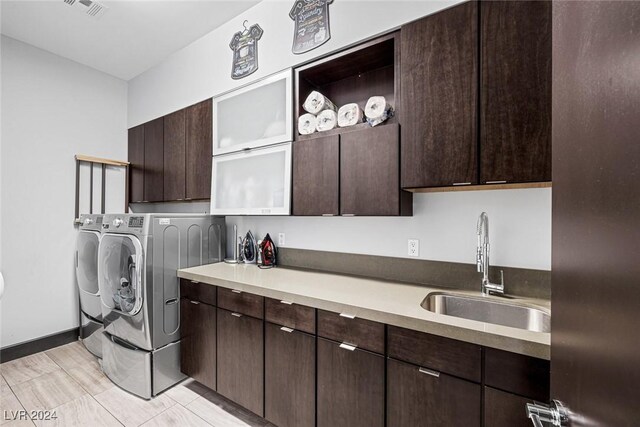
[(360, 332)]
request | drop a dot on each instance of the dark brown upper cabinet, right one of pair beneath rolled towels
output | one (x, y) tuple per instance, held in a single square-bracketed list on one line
[(370, 173)]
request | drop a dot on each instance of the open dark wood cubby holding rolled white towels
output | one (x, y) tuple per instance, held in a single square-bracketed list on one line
[(353, 75)]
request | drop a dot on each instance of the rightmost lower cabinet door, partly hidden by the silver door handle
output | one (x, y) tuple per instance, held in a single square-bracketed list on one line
[(502, 409)]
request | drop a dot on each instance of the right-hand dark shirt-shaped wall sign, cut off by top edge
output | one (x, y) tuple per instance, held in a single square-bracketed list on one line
[(311, 19)]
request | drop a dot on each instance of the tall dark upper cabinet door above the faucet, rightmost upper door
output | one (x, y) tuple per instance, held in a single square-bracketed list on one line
[(516, 91)]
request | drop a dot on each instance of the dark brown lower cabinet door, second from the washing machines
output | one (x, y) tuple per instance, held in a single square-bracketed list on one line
[(240, 368)]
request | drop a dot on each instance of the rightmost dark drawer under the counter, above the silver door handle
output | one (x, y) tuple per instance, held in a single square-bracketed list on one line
[(516, 373)]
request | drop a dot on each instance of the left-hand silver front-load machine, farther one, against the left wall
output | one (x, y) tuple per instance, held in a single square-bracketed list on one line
[(87, 243)]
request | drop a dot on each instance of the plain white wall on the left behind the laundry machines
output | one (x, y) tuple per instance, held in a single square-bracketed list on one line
[(52, 109)]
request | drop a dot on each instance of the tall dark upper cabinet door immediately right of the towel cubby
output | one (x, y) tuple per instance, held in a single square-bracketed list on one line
[(439, 99)]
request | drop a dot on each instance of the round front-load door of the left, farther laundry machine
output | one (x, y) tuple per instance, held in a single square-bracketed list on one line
[(87, 273)]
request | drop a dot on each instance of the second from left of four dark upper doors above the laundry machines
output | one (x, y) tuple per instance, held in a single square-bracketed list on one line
[(154, 160)]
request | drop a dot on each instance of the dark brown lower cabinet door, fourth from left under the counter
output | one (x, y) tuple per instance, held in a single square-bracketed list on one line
[(350, 387)]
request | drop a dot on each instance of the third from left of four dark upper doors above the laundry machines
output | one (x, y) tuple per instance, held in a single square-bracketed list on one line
[(174, 156)]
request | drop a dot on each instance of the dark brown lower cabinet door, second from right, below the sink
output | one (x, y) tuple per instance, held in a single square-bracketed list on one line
[(421, 397)]
